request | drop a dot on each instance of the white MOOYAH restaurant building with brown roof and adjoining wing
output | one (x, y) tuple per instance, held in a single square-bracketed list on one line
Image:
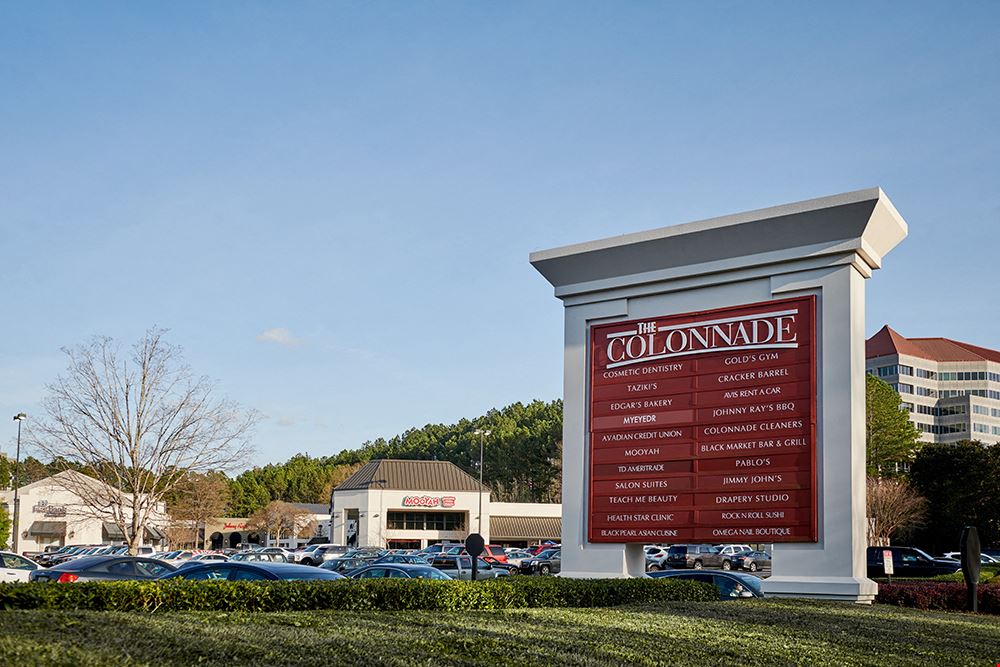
[(405, 504)]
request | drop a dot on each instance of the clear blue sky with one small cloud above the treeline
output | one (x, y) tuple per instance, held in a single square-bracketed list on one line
[(331, 205)]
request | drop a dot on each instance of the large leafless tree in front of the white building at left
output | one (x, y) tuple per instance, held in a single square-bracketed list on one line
[(137, 423)]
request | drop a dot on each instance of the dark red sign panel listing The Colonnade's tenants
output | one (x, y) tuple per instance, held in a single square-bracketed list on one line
[(703, 426)]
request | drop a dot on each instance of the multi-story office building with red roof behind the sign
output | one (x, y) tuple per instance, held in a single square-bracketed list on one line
[(951, 389)]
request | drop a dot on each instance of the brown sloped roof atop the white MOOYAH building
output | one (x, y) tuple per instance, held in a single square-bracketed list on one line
[(407, 475)]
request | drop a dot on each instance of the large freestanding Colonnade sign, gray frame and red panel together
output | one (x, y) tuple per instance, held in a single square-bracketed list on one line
[(714, 390)]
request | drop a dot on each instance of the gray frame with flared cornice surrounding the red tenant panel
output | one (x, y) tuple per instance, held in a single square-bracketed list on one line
[(825, 247)]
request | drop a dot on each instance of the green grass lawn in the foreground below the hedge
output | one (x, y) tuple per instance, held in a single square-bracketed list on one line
[(730, 633)]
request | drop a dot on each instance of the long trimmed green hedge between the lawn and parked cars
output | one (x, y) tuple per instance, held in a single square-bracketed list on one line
[(372, 594)]
